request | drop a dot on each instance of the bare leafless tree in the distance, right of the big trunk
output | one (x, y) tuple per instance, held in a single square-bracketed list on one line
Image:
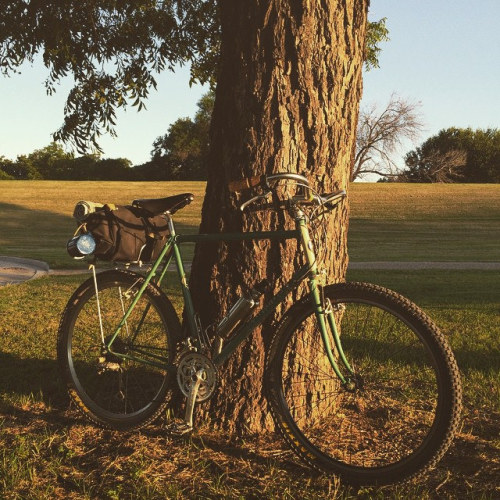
[(380, 134)]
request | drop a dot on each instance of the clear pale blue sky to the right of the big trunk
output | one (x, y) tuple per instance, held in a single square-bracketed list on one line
[(443, 53)]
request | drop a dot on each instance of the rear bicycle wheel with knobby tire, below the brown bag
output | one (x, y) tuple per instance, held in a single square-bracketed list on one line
[(127, 385)]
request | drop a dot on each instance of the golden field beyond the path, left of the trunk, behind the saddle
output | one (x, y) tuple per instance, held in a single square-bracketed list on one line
[(37, 215)]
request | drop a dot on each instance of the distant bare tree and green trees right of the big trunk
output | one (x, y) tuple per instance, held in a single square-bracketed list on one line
[(452, 155)]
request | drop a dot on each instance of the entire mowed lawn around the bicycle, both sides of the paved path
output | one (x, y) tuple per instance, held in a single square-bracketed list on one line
[(49, 451)]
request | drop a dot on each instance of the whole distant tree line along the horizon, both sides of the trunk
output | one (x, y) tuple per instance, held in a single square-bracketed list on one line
[(453, 155)]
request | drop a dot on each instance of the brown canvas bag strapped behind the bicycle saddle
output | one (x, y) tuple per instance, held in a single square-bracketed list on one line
[(126, 234)]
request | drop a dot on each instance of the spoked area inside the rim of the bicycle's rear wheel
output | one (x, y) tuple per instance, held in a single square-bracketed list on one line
[(121, 386)]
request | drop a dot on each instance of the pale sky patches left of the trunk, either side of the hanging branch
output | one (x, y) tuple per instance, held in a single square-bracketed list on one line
[(29, 117)]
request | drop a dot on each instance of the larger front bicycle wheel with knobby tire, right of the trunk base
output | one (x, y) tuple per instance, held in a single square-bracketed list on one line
[(397, 417)]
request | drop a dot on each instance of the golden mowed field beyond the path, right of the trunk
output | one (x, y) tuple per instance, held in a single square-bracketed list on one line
[(424, 222)]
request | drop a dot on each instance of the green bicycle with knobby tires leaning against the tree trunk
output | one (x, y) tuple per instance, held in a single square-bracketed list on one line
[(359, 381)]
